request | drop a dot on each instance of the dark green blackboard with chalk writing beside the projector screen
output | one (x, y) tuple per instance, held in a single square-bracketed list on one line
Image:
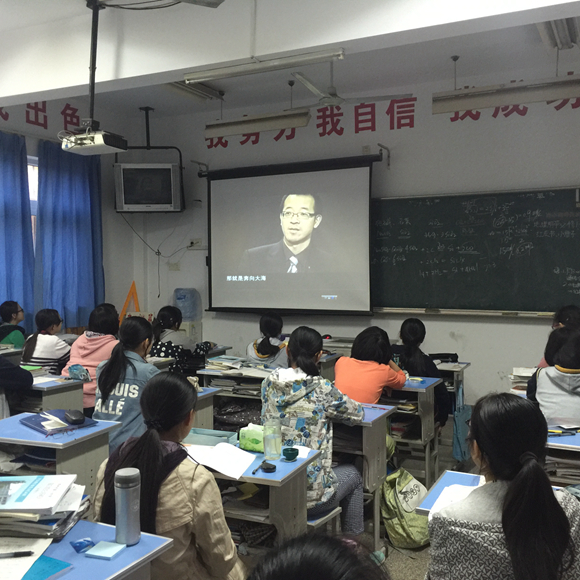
[(512, 251)]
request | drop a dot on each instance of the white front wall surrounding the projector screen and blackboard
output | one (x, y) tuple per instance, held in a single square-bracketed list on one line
[(436, 156)]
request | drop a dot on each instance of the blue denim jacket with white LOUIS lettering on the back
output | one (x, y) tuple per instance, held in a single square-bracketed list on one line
[(123, 402)]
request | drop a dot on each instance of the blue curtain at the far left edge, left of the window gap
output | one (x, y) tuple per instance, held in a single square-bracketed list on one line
[(16, 247)]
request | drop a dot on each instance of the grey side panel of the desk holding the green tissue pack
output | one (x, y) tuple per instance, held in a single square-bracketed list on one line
[(288, 507)]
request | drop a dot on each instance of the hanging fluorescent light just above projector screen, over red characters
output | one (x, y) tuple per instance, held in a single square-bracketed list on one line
[(256, 123)]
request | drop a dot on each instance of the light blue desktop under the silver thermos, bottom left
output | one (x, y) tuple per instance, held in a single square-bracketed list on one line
[(131, 563)]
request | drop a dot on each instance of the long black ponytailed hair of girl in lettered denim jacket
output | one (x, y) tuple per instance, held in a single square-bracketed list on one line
[(132, 333)]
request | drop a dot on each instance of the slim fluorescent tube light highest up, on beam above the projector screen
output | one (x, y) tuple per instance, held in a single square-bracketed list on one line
[(239, 70)]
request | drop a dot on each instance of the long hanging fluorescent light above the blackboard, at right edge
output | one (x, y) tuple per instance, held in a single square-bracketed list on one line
[(567, 87)]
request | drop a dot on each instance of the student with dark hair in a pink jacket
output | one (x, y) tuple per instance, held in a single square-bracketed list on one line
[(93, 347)]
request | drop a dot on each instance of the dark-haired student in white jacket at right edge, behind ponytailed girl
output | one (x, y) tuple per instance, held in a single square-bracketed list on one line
[(558, 387)]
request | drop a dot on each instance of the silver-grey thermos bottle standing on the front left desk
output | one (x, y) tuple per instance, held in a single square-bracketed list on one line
[(127, 506)]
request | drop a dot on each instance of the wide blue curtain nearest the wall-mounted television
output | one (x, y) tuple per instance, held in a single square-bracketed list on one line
[(69, 246)]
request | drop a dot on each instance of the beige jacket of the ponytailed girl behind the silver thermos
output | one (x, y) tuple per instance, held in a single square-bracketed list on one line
[(190, 512)]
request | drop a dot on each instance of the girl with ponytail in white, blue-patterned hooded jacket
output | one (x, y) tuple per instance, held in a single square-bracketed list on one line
[(306, 404)]
